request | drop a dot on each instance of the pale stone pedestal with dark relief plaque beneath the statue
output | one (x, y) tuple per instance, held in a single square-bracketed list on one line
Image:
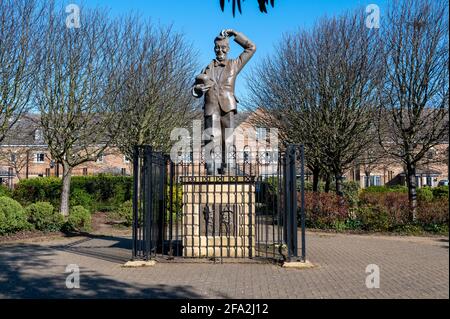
[(218, 218)]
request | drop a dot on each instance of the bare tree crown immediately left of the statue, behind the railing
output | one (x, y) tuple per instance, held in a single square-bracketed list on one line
[(159, 70)]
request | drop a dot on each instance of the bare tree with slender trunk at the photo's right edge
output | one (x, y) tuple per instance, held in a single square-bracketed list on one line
[(414, 109)]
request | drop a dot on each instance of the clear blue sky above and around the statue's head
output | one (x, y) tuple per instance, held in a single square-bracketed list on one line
[(202, 20)]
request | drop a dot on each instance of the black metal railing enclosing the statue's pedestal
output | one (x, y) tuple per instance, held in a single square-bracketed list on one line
[(248, 211)]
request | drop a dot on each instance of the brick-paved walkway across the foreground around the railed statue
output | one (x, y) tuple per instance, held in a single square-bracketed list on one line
[(410, 267)]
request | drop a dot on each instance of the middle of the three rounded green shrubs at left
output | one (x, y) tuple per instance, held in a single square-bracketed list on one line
[(43, 216)]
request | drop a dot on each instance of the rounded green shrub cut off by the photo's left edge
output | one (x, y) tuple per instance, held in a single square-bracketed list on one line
[(12, 216)]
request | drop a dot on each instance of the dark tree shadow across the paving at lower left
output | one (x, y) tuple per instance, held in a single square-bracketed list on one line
[(24, 274)]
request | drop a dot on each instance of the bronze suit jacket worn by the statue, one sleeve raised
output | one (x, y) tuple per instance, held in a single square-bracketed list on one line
[(221, 95)]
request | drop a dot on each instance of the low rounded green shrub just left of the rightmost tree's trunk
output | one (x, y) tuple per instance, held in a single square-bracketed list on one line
[(373, 218)]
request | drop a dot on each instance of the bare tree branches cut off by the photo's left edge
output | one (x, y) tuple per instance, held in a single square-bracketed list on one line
[(18, 36)]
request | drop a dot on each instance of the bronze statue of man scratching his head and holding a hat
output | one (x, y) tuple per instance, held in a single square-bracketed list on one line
[(216, 83)]
